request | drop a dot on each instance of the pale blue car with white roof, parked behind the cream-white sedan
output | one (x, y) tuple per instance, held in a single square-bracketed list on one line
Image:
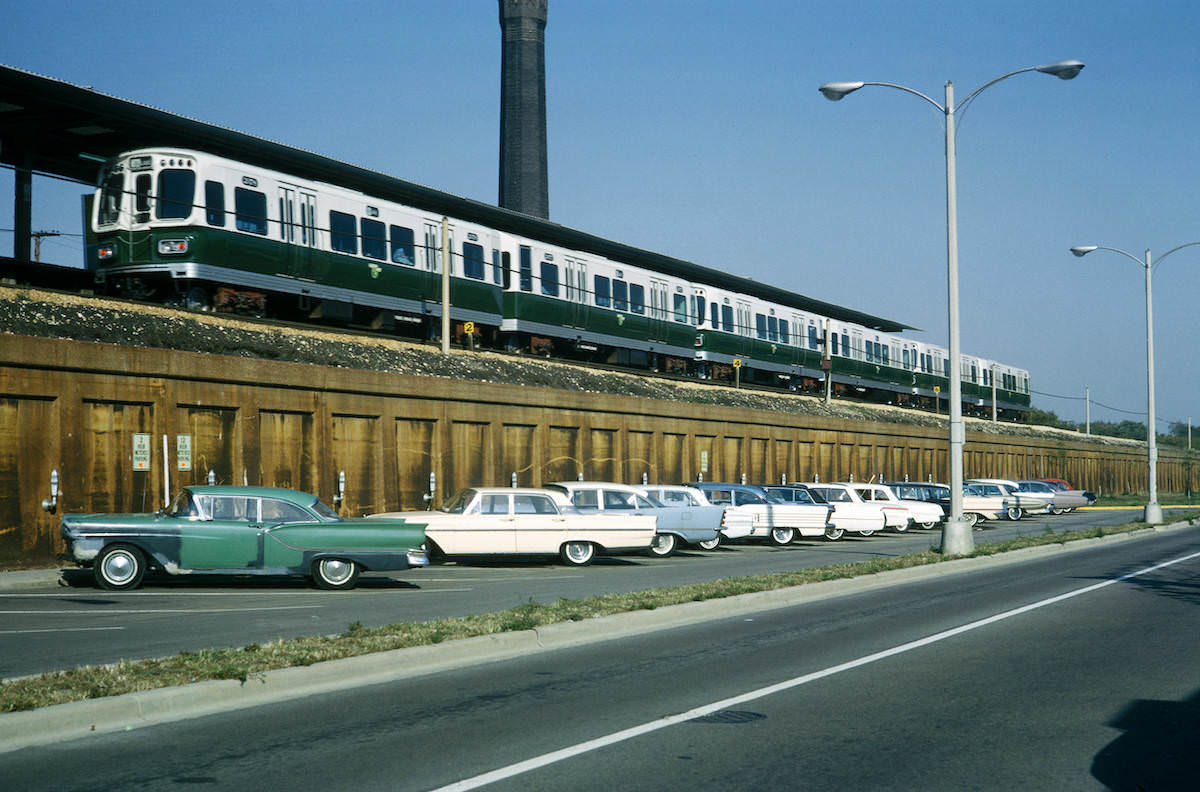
[(675, 525)]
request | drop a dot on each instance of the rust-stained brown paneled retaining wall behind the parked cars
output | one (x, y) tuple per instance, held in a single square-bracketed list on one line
[(75, 407)]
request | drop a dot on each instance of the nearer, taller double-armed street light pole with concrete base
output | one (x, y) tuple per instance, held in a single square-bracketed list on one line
[(957, 536)]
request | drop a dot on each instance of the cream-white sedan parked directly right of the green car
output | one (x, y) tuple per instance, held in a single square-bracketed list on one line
[(490, 521)]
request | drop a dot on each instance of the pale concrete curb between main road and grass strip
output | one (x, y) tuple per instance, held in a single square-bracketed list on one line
[(136, 711)]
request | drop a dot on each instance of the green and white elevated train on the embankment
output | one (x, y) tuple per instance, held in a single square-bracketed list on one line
[(212, 233)]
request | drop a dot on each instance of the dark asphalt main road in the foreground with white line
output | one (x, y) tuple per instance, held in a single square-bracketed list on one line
[(1051, 674)]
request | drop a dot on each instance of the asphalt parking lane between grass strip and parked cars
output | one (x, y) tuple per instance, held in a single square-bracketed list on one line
[(61, 626)]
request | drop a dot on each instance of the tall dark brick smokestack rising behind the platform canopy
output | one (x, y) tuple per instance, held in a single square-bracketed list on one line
[(524, 183)]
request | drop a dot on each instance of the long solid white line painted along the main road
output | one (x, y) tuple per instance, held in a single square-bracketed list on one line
[(709, 710)]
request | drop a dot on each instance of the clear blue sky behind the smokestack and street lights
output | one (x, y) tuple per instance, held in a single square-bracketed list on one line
[(695, 129)]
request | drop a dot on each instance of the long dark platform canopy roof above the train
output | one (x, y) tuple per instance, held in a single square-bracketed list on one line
[(57, 128)]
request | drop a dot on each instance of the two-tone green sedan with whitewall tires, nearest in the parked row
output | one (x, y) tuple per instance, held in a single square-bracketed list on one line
[(242, 531)]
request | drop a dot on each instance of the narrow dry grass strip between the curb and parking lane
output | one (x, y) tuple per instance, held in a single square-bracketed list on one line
[(131, 676)]
